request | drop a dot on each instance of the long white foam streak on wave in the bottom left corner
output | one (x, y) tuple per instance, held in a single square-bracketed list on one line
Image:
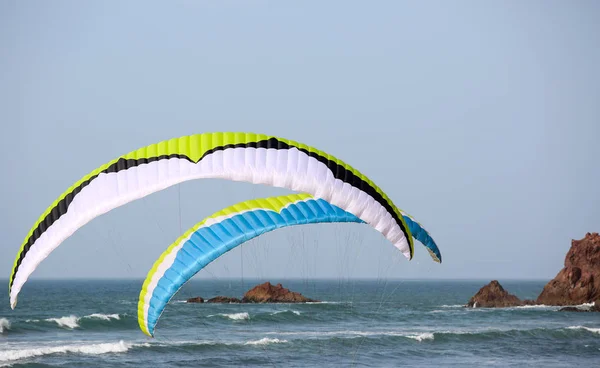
[(87, 349)]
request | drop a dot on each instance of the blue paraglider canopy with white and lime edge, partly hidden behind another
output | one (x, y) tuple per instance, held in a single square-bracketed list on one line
[(223, 231)]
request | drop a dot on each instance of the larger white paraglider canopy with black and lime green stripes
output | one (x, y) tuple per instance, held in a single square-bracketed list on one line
[(249, 157)]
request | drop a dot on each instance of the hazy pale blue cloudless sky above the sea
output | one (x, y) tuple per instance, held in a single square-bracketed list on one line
[(479, 118)]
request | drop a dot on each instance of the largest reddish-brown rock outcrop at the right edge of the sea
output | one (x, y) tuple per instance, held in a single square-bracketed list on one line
[(579, 281)]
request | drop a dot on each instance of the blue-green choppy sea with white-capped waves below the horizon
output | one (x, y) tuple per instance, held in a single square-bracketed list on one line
[(379, 323)]
